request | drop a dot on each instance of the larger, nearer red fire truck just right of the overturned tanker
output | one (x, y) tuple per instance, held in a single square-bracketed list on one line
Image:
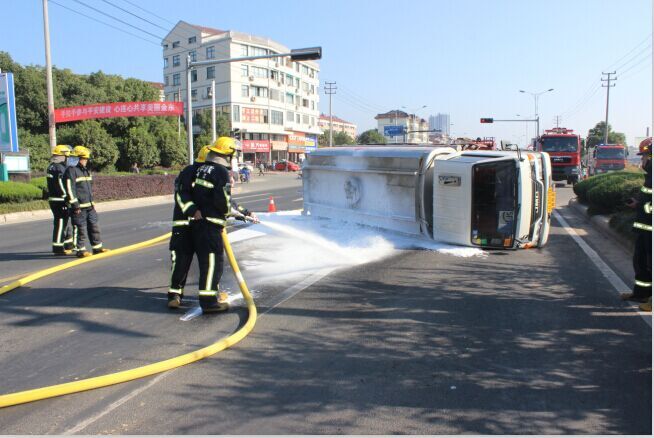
[(564, 148)]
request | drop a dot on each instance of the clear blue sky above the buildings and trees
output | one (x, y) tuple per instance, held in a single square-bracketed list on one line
[(468, 58)]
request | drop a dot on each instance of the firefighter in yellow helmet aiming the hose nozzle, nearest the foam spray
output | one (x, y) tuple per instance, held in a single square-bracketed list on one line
[(211, 193)]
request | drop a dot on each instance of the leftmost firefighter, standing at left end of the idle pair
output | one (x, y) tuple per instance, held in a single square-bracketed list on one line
[(62, 239)]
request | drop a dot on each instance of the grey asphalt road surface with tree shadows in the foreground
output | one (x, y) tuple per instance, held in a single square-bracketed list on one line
[(421, 342)]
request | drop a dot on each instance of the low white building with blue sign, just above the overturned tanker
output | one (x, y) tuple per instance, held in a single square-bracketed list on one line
[(404, 126)]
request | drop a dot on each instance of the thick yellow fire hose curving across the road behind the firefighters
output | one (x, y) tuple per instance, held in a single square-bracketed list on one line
[(147, 370)]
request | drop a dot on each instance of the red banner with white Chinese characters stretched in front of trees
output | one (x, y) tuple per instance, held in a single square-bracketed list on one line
[(118, 109)]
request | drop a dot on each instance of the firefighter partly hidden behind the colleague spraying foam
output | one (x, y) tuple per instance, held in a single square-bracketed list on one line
[(181, 241)]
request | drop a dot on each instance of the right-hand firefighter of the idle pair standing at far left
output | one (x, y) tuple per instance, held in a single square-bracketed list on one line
[(79, 189)]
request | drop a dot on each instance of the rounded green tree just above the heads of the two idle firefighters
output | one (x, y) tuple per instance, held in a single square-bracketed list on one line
[(91, 134)]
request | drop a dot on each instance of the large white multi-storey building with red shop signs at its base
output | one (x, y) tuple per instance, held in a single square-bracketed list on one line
[(273, 102)]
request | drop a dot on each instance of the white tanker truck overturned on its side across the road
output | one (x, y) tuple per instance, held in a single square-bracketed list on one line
[(488, 199)]
